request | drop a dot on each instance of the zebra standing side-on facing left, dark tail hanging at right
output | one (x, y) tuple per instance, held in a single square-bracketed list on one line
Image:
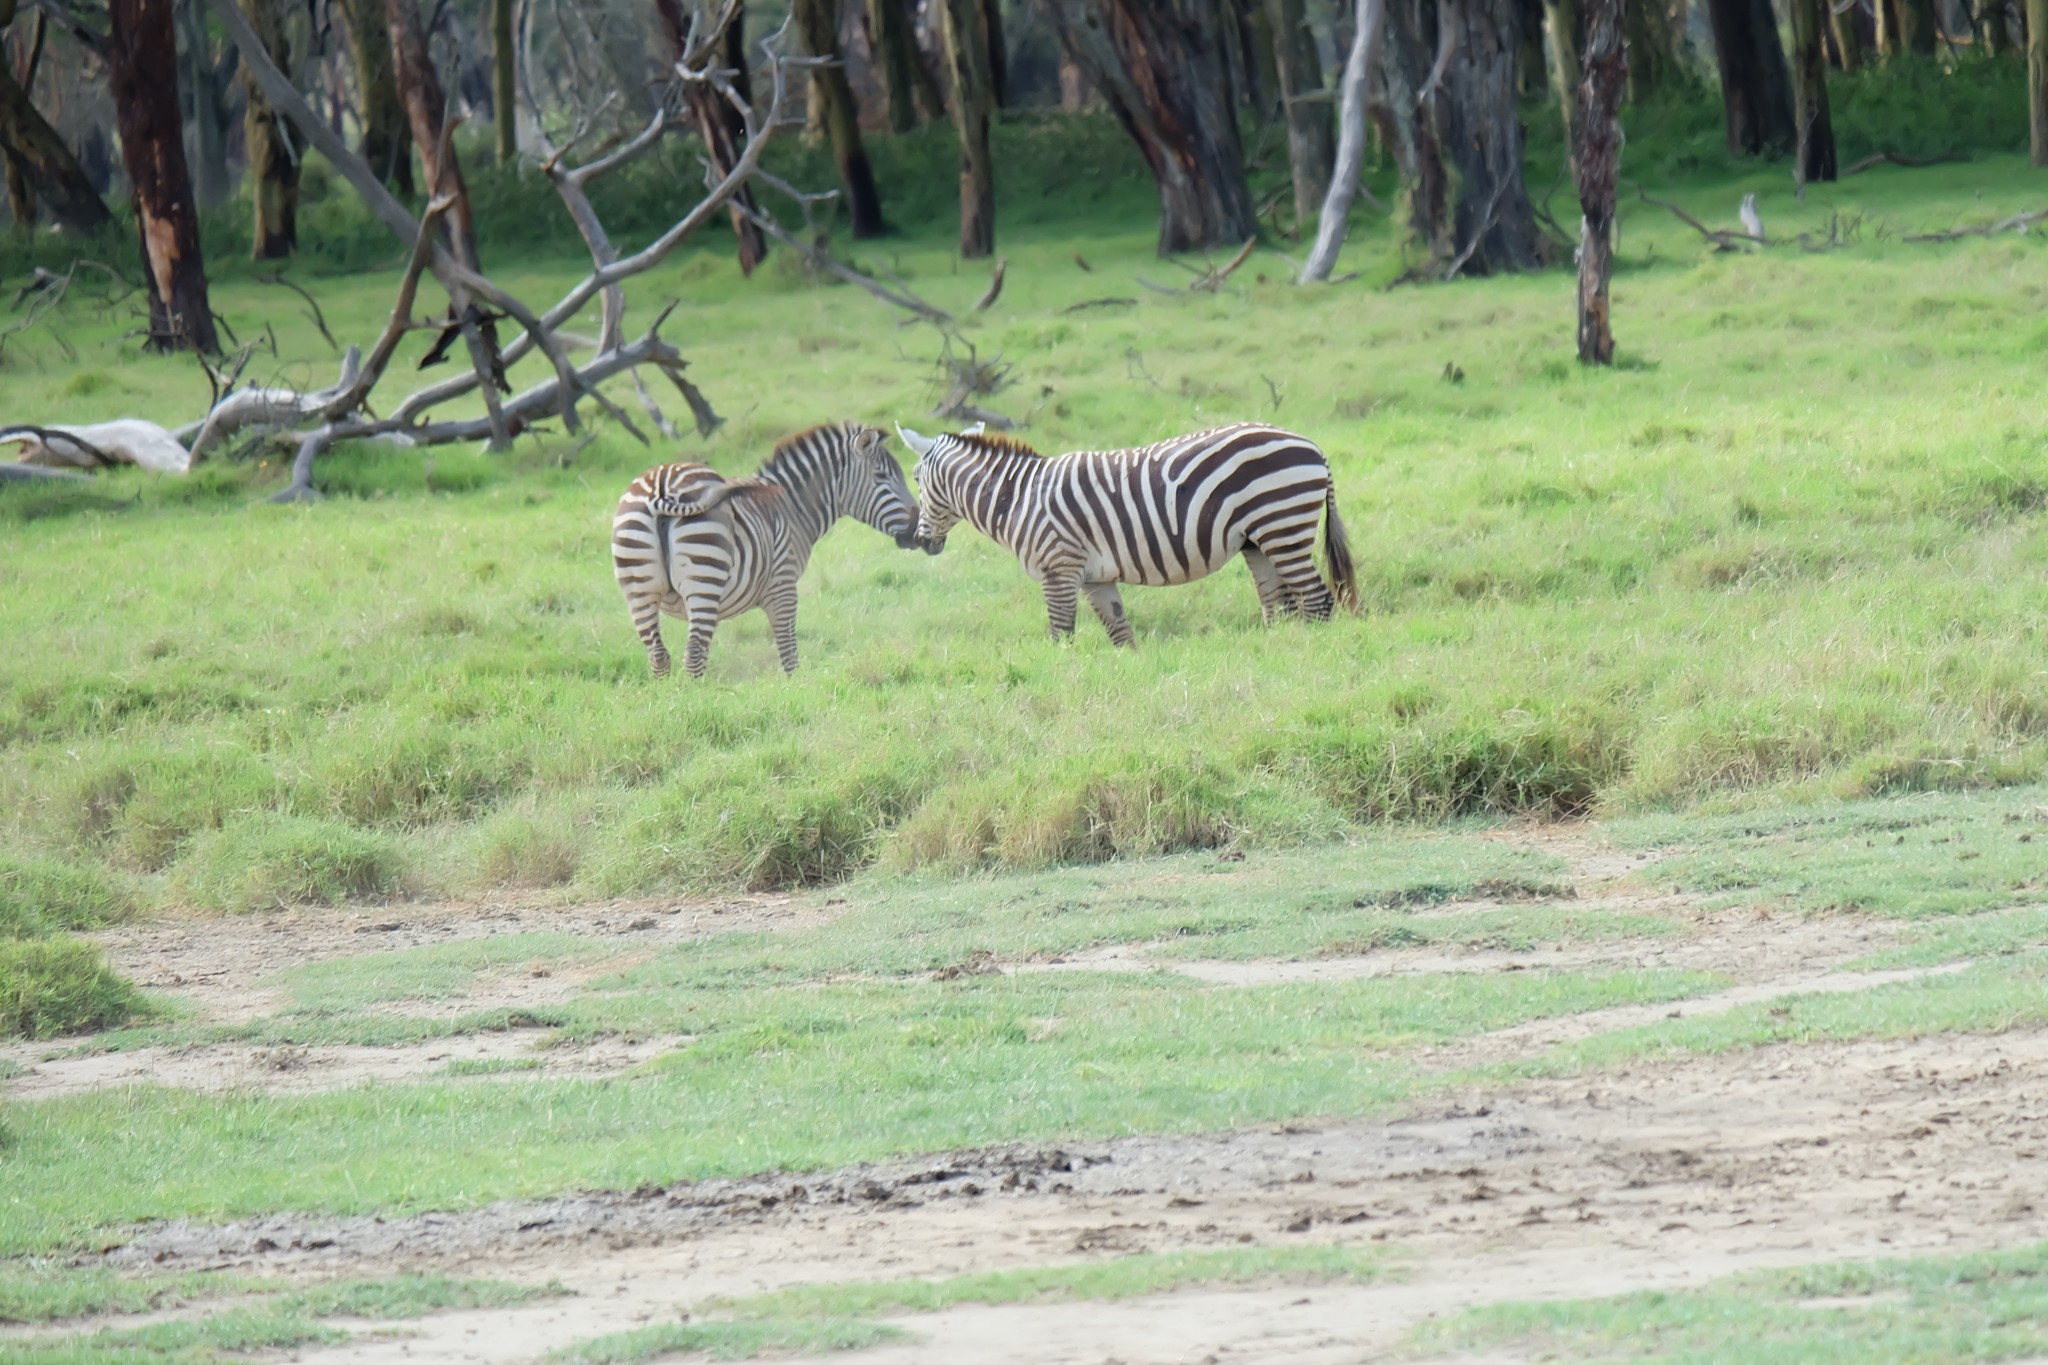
[(1166, 515)]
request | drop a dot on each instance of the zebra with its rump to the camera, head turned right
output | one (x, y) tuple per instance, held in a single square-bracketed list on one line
[(708, 549)]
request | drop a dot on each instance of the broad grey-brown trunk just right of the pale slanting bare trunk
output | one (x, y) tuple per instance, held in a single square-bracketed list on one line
[(1451, 107)]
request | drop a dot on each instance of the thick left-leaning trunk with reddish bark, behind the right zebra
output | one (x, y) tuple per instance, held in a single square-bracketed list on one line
[(1160, 69)]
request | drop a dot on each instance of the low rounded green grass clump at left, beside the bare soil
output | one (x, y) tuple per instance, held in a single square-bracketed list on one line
[(282, 861)]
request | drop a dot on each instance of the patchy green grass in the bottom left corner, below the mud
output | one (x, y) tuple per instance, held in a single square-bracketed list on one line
[(257, 1321)]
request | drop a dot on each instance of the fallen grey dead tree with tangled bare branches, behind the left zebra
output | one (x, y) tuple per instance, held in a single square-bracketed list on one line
[(343, 412)]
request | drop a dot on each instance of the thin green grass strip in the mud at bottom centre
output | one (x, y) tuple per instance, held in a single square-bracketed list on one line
[(837, 1317)]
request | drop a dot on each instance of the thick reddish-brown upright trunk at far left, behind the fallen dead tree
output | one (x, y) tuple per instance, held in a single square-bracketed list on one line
[(142, 64)]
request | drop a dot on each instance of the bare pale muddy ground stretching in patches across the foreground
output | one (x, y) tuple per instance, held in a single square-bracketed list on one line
[(1646, 1178)]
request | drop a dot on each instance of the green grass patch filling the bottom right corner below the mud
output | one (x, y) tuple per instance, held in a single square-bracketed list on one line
[(1934, 1311)]
